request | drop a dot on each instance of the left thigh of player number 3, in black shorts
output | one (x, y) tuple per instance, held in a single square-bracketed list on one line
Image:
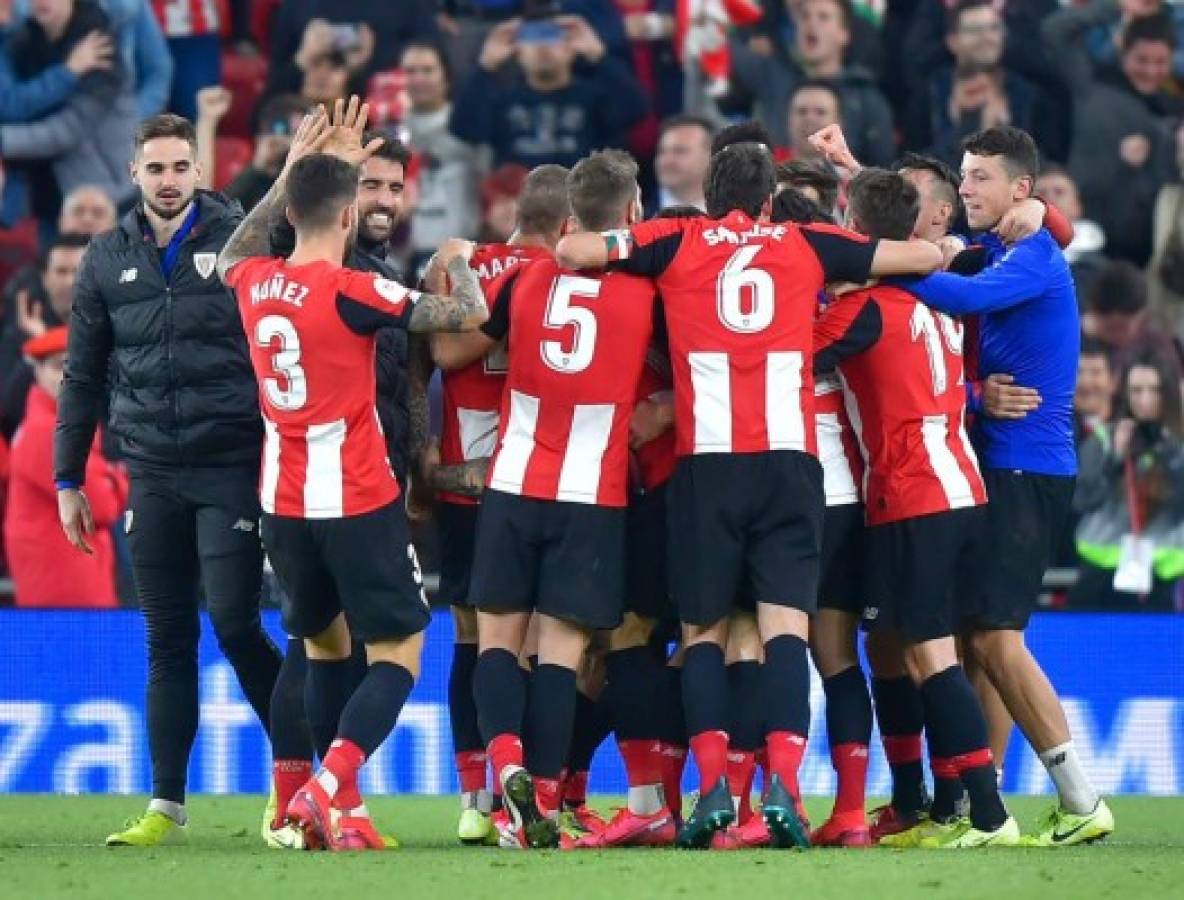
[(310, 602)]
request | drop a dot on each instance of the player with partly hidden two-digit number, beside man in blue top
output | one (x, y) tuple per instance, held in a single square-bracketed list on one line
[(904, 372)]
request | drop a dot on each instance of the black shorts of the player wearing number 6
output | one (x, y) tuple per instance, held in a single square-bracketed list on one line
[(744, 523)]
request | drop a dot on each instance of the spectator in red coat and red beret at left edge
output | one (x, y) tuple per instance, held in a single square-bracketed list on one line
[(47, 571)]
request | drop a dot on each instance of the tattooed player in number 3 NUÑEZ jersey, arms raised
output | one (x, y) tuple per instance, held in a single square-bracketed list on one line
[(332, 520)]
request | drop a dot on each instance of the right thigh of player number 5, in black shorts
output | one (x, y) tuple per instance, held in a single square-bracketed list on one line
[(582, 565)]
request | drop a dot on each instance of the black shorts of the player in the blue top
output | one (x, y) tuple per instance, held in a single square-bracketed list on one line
[(1026, 516)]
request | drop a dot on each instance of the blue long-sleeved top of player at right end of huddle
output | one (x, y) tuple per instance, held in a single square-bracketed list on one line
[(1029, 329)]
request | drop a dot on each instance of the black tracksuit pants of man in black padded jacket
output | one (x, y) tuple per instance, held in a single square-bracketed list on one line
[(185, 524)]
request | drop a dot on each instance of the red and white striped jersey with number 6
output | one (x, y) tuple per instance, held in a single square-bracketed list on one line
[(741, 298)]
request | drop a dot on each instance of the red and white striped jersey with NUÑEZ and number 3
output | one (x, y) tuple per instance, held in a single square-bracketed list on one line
[(311, 331)]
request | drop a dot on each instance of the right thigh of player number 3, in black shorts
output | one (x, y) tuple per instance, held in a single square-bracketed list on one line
[(377, 574)]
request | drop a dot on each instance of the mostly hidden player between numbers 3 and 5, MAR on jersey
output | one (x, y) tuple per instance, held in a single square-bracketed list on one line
[(472, 401)]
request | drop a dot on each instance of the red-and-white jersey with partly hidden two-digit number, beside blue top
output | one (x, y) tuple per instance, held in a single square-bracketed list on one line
[(903, 367)]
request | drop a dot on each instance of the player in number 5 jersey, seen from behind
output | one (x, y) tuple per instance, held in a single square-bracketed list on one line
[(552, 532)]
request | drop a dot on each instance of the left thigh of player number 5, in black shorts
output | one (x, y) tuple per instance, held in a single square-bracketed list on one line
[(506, 557)]
